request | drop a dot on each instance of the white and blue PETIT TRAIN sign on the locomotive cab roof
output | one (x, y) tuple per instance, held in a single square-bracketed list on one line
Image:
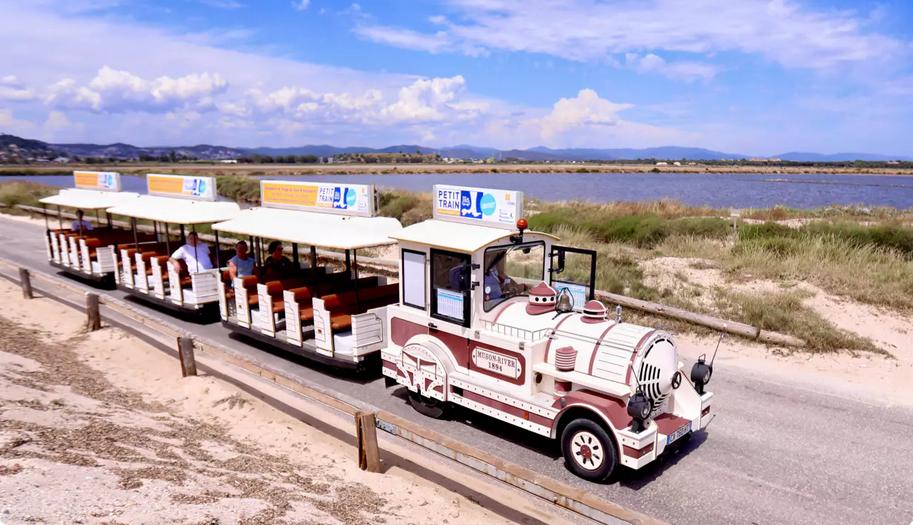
[(481, 206)]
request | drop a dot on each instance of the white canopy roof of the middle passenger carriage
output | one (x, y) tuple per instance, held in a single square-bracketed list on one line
[(176, 211)]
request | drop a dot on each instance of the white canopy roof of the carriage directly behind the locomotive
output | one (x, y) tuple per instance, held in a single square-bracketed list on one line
[(313, 229)]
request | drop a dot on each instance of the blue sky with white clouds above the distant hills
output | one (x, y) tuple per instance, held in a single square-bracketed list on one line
[(757, 77)]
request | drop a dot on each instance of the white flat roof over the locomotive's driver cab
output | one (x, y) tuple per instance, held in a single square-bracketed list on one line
[(455, 236)]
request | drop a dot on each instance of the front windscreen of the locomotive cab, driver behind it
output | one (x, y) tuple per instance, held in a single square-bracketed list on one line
[(511, 270)]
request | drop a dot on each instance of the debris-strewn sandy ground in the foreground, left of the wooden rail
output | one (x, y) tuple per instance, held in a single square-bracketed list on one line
[(100, 428)]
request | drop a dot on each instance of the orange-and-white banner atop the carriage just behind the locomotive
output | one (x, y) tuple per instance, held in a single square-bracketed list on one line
[(342, 199)]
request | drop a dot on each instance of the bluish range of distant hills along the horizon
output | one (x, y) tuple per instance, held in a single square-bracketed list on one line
[(17, 149)]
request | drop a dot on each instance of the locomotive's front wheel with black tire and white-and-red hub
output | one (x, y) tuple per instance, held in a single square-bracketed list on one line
[(588, 450)]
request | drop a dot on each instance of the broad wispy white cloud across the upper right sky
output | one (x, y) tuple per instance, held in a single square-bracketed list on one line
[(781, 31)]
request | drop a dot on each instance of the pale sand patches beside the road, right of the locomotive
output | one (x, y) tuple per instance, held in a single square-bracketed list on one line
[(884, 379)]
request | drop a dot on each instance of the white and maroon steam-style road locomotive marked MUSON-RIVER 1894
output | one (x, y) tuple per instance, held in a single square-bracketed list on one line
[(503, 321)]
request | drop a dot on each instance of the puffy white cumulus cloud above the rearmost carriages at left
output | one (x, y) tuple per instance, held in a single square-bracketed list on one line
[(116, 91)]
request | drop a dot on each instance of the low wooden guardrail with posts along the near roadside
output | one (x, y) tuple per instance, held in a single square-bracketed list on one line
[(559, 493)]
